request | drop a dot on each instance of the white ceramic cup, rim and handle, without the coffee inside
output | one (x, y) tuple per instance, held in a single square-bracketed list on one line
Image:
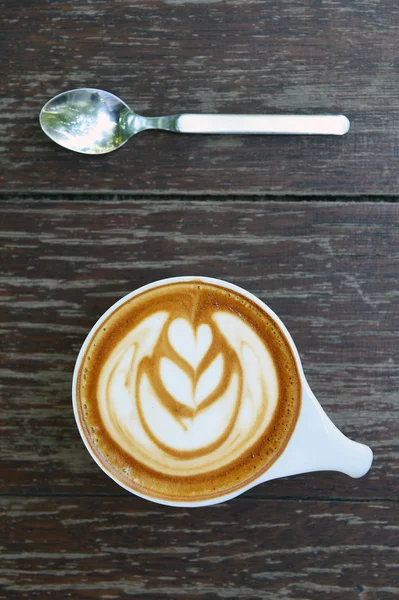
[(316, 444)]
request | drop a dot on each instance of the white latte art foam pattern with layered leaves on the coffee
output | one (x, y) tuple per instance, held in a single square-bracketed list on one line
[(181, 399)]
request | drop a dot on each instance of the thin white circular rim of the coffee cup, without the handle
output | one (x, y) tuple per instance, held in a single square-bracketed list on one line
[(136, 292)]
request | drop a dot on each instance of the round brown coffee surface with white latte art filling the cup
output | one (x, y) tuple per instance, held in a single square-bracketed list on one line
[(188, 391)]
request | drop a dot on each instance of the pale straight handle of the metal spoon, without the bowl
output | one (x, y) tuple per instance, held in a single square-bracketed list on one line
[(263, 124)]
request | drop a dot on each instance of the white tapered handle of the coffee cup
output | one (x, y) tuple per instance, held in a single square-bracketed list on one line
[(318, 445)]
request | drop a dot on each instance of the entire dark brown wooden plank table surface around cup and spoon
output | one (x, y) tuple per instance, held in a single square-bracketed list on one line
[(310, 225)]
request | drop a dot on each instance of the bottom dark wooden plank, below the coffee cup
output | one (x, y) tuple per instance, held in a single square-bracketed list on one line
[(246, 550)]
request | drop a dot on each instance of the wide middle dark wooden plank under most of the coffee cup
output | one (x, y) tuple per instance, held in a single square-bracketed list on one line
[(329, 271)]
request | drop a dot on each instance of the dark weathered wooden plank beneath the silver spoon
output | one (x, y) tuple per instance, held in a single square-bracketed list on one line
[(178, 55)]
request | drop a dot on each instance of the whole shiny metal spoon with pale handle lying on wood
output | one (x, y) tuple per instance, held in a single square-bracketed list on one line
[(93, 121)]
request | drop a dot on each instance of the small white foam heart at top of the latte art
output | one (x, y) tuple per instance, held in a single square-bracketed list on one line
[(189, 344)]
